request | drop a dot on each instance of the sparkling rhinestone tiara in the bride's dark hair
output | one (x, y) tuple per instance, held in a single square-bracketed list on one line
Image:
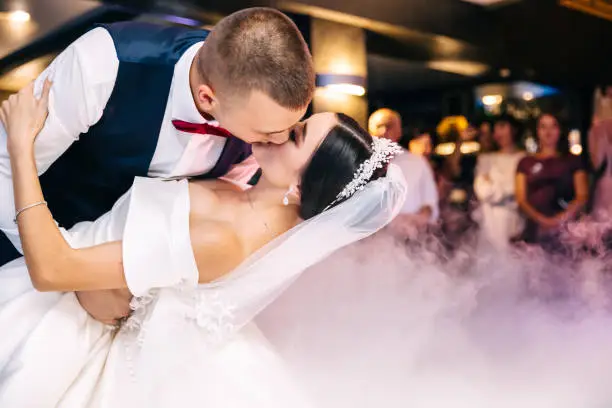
[(383, 150)]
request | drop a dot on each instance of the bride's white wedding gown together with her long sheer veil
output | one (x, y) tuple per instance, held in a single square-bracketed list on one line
[(185, 344)]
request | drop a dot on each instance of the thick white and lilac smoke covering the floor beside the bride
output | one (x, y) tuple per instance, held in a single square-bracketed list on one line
[(378, 325)]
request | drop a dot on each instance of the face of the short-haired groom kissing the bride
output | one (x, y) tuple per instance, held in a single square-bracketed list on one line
[(257, 118)]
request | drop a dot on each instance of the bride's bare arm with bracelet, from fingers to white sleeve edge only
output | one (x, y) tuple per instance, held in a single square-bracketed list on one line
[(52, 263)]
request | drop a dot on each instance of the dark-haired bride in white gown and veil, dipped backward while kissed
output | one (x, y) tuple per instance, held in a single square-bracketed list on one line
[(201, 258)]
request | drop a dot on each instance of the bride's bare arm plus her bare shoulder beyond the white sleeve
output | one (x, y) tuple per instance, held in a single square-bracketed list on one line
[(52, 263)]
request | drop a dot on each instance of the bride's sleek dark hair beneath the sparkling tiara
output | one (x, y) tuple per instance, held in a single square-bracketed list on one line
[(333, 165)]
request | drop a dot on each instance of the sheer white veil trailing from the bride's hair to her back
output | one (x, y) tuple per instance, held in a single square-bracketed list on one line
[(261, 279)]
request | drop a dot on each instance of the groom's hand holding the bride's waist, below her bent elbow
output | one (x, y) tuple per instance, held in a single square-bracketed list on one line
[(106, 306)]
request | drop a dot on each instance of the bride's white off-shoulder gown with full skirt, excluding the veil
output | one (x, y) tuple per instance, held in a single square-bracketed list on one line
[(173, 351)]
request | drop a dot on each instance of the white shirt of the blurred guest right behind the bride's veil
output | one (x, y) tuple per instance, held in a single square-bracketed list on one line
[(422, 189)]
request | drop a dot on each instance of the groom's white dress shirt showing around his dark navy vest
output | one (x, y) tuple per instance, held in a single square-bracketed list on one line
[(83, 78)]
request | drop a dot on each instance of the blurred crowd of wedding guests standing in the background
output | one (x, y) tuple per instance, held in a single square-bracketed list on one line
[(476, 182)]
